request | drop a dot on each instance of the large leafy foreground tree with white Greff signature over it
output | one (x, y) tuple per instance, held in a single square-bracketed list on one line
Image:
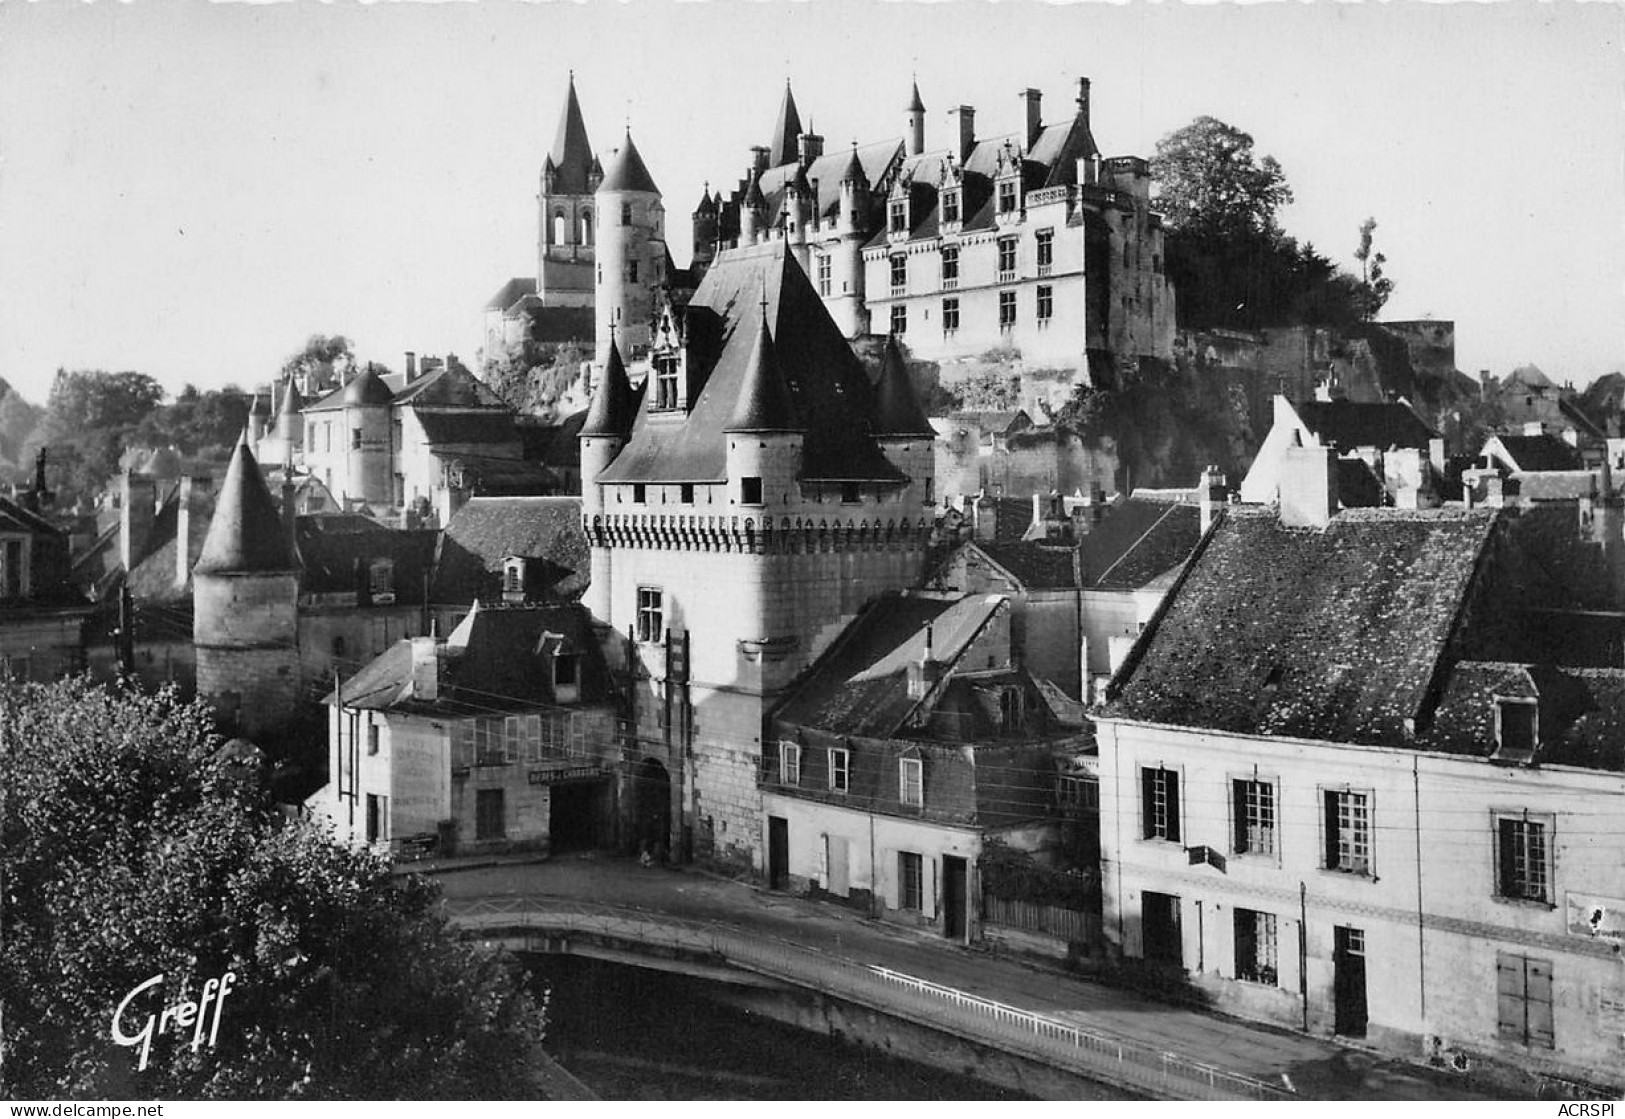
[(131, 849)]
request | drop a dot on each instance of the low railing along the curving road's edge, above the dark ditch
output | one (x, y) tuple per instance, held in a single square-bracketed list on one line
[(1094, 1055)]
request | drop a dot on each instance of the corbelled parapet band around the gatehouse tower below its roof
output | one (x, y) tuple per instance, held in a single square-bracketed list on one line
[(756, 535)]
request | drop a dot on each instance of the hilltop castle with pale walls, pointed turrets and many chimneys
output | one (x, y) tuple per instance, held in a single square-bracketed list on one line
[(1026, 243)]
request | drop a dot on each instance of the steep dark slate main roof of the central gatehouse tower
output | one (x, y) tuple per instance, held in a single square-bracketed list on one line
[(826, 381)]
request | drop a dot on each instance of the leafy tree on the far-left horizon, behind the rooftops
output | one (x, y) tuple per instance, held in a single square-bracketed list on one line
[(90, 418)]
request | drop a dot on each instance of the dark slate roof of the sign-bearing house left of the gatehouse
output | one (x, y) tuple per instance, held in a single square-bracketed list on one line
[(493, 662)]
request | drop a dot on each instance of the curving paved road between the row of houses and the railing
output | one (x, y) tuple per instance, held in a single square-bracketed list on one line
[(1315, 1068)]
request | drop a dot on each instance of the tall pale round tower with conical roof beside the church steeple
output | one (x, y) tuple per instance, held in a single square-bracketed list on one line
[(631, 251)]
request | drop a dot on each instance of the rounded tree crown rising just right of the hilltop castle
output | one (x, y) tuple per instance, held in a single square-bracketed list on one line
[(1210, 183)]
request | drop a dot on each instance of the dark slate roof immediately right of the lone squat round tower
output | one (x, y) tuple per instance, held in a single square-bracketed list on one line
[(337, 555)]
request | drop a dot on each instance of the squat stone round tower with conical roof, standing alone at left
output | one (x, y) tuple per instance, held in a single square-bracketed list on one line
[(246, 607)]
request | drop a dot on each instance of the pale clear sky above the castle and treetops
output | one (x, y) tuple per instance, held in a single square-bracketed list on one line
[(193, 189)]
